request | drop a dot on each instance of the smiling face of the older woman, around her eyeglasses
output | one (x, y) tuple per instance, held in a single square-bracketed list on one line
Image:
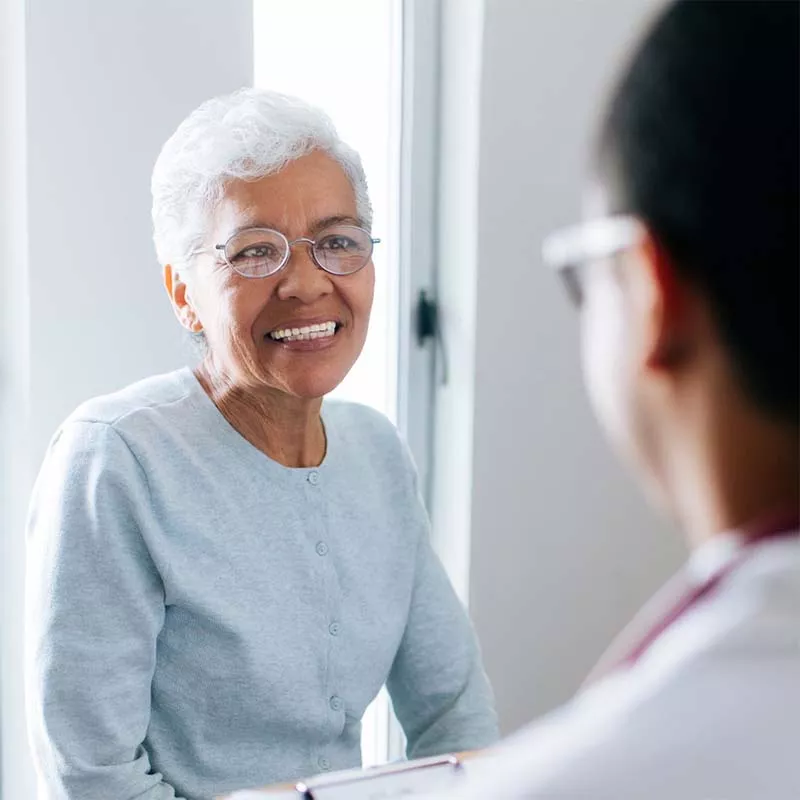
[(238, 314)]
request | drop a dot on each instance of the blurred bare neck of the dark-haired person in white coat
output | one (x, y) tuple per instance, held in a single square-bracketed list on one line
[(730, 467)]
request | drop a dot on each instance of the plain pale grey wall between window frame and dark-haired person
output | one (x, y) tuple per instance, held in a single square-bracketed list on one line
[(563, 550)]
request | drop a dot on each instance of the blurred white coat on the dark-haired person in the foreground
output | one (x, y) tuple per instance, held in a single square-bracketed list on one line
[(711, 711)]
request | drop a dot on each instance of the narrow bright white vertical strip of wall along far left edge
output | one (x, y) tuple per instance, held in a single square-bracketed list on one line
[(15, 777)]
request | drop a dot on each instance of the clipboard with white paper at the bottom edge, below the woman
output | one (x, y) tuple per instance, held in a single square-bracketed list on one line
[(421, 776)]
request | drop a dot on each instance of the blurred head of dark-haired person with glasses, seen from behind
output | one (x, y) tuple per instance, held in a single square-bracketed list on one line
[(686, 265)]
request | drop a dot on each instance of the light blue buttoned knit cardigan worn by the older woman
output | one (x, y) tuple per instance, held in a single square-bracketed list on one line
[(203, 619)]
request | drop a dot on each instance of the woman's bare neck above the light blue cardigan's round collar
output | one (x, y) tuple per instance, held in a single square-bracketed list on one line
[(287, 429)]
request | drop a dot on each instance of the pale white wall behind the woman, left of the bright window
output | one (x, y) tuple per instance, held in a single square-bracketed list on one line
[(107, 82)]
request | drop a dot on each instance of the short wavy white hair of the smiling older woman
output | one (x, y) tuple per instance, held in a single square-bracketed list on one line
[(241, 136)]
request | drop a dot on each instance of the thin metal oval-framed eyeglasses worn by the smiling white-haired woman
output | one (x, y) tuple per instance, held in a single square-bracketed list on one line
[(261, 252)]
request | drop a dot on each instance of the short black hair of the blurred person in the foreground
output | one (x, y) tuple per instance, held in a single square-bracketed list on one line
[(701, 141)]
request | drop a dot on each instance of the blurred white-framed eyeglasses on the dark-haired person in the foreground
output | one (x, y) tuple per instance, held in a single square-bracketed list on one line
[(569, 249)]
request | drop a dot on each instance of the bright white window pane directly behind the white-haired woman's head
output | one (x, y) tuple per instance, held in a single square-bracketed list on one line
[(342, 56)]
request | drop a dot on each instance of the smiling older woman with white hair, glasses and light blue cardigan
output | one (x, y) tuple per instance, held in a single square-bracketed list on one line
[(224, 568)]
